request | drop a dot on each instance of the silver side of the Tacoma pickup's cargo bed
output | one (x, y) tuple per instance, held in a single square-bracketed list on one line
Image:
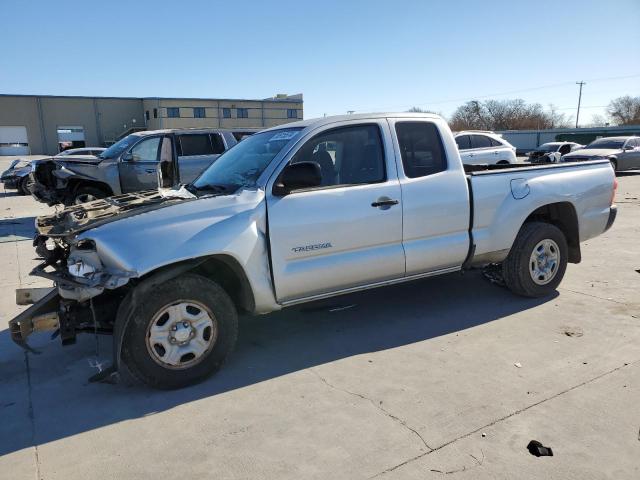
[(503, 198)]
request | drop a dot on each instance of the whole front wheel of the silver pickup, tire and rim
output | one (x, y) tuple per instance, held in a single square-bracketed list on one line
[(180, 332)]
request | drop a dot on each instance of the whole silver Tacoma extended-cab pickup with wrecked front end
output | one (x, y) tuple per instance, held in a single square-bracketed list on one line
[(297, 213)]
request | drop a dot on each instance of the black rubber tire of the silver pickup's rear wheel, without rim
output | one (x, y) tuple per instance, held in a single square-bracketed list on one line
[(516, 267)]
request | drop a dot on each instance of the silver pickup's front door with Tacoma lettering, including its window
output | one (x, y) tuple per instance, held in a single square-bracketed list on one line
[(347, 232)]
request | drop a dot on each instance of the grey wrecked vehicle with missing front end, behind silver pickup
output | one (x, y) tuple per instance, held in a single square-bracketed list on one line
[(130, 165)]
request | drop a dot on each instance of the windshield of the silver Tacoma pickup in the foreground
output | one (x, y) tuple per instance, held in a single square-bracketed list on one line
[(242, 165)]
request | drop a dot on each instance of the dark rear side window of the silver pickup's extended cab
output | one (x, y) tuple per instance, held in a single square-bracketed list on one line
[(421, 149)]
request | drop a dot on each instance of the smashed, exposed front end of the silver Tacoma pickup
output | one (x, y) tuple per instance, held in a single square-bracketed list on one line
[(86, 293)]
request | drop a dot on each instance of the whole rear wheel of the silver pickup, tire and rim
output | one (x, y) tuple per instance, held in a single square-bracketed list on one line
[(537, 260)]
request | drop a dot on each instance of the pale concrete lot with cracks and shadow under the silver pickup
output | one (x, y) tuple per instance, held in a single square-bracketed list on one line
[(412, 381)]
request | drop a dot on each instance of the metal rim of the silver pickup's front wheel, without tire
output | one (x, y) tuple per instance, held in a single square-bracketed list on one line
[(181, 334)]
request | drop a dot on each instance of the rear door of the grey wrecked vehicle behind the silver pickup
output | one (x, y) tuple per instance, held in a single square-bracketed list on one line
[(196, 151)]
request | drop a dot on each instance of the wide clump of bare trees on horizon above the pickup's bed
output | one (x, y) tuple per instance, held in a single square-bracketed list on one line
[(505, 115)]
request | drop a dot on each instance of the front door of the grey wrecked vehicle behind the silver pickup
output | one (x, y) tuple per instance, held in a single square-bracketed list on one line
[(138, 167)]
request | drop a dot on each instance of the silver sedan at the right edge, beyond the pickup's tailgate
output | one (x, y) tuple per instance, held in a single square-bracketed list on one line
[(622, 152)]
